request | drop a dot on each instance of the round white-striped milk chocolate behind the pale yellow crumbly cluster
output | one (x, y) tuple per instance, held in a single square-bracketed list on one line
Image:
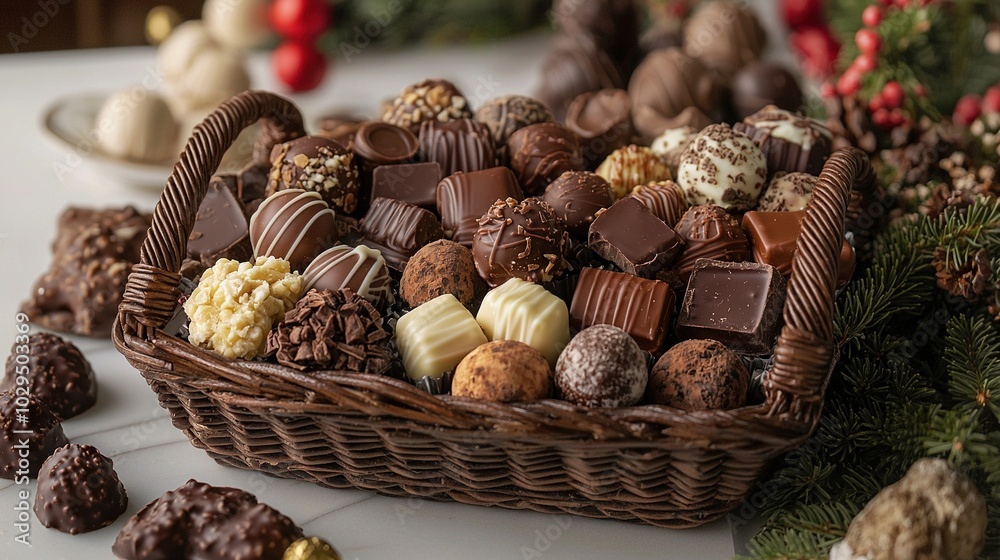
[(294, 225)]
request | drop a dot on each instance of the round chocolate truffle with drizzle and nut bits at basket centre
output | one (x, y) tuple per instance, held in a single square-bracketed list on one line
[(519, 240)]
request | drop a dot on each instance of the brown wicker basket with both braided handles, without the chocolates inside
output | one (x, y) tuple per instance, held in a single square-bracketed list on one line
[(649, 464)]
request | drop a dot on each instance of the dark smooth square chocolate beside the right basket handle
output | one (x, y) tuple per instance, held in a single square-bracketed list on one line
[(737, 304)]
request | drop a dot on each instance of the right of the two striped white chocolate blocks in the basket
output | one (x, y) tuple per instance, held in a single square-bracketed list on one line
[(528, 313)]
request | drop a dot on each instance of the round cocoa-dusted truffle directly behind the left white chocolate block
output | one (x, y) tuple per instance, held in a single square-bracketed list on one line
[(441, 267)]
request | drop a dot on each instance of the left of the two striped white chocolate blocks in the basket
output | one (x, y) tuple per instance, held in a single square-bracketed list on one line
[(433, 338)]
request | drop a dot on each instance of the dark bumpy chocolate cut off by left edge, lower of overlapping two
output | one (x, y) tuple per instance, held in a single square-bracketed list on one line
[(23, 417)]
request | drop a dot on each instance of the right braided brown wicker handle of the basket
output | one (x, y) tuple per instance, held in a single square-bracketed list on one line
[(805, 351)]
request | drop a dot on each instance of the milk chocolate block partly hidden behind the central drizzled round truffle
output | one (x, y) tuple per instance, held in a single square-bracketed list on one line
[(463, 198)]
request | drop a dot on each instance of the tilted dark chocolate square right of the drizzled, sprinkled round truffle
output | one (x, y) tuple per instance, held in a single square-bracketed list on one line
[(631, 237)]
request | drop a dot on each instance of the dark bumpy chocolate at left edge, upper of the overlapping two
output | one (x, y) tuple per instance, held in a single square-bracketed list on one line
[(56, 372)]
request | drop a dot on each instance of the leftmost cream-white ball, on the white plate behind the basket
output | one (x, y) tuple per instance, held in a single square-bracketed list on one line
[(137, 124)]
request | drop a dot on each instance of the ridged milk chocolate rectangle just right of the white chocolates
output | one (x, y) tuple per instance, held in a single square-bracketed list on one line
[(638, 306)]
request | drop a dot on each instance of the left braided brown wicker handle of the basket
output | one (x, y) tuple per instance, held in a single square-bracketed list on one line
[(152, 289)]
